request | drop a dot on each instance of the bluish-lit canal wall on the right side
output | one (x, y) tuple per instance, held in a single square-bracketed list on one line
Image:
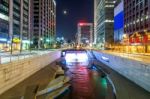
[(136, 71)]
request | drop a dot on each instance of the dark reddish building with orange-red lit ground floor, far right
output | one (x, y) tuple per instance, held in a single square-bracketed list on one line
[(137, 24)]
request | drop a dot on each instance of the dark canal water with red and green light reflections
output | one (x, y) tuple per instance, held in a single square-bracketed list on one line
[(85, 83)]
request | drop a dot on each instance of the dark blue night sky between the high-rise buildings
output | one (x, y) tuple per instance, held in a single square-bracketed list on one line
[(77, 10)]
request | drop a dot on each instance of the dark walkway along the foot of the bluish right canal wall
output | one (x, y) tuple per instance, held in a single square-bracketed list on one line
[(125, 88)]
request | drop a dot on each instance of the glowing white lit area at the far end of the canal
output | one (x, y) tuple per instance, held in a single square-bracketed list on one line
[(76, 57)]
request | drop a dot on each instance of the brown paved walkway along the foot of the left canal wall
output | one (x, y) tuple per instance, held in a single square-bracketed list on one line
[(38, 81)]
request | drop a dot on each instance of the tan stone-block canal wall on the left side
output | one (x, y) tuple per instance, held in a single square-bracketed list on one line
[(15, 72)]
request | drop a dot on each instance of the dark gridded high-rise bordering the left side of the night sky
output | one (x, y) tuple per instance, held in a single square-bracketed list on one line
[(44, 23)]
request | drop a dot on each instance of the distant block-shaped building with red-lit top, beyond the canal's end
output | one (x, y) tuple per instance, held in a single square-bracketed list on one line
[(85, 34)]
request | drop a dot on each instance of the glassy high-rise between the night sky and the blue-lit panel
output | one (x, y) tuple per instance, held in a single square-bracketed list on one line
[(104, 22)]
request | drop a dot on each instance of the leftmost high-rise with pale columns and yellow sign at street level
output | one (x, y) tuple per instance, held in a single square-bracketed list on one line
[(14, 24)]
